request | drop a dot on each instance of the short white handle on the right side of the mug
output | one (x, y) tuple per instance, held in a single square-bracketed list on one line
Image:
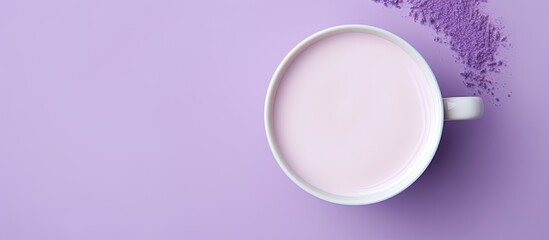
[(462, 108)]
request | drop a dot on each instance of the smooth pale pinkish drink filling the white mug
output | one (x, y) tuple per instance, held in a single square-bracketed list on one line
[(351, 113)]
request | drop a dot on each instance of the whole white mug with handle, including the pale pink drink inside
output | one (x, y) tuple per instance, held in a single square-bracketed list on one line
[(354, 114)]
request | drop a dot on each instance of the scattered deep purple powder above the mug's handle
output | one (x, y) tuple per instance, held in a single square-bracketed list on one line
[(469, 32)]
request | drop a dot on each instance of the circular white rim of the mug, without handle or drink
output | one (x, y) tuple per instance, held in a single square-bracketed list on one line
[(414, 173)]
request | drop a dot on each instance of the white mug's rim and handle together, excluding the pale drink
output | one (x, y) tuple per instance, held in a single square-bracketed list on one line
[(453, 108)]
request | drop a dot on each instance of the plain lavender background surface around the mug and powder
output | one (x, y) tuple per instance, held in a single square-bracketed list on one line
[(144, 120)]
